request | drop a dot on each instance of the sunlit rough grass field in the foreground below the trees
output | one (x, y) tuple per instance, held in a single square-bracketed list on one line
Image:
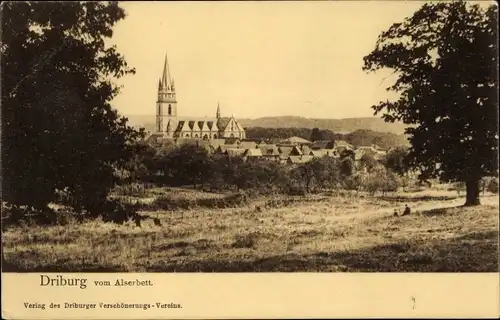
[(317, 233)]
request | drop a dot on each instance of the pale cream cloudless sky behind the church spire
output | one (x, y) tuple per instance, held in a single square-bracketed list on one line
[(256, 59)]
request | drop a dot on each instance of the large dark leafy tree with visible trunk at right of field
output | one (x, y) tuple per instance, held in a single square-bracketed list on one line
[(445, 61)]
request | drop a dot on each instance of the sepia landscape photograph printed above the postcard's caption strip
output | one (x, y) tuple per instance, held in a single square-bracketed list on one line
[(249, 136)]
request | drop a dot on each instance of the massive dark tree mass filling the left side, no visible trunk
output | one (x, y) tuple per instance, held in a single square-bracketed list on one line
[(59, 130)]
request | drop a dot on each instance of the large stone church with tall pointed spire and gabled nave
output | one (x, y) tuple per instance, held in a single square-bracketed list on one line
[(169, 124)]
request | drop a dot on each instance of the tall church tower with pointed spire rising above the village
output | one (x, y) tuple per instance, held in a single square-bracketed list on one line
[(166, 105)]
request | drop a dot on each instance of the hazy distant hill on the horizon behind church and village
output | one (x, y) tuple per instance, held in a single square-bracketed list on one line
[(336, 125)]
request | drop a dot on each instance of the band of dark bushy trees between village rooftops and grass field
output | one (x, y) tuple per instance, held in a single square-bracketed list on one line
[(192, 165)]
